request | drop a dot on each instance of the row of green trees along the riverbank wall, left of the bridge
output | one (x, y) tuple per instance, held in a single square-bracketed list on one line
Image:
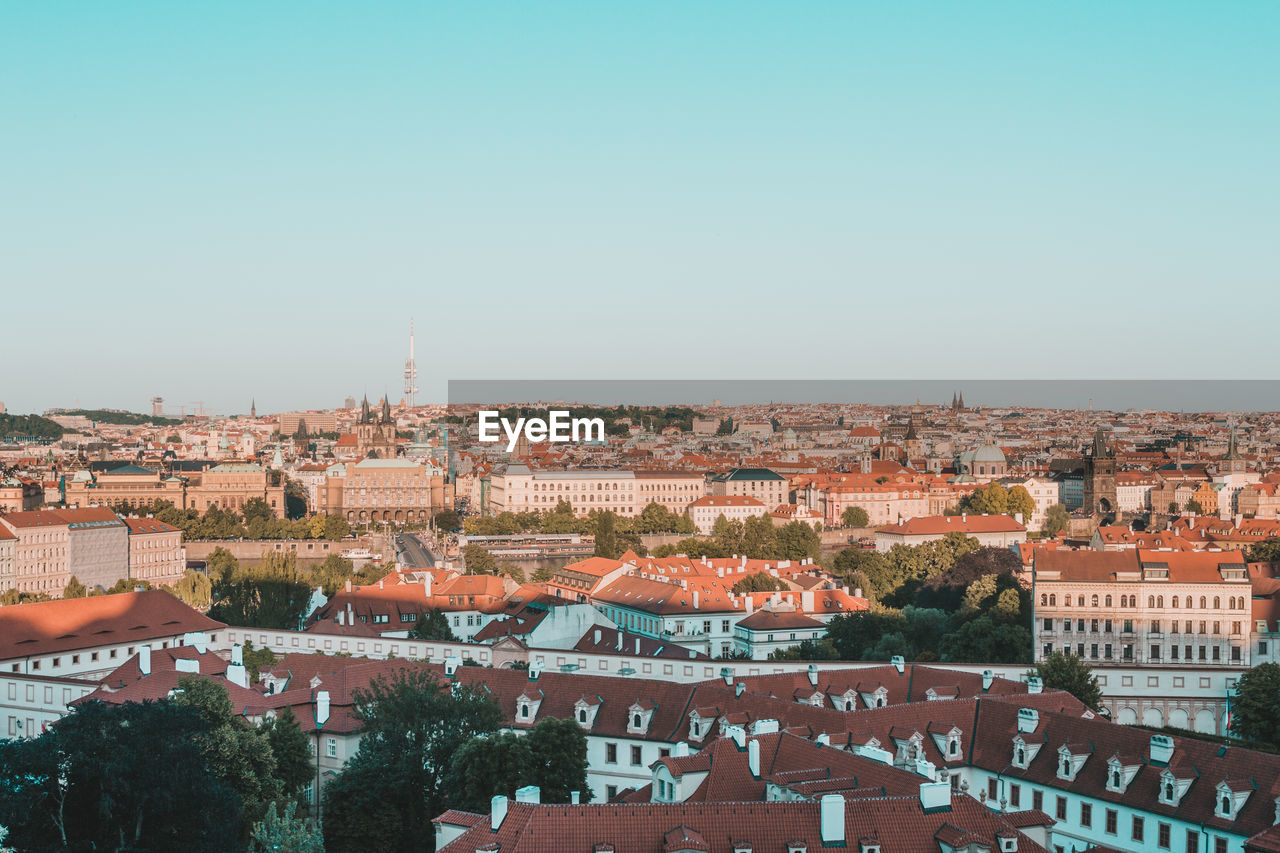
[(254, 522)]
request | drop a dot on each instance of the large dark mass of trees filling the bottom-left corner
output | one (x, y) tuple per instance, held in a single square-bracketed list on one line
[(185, 773)]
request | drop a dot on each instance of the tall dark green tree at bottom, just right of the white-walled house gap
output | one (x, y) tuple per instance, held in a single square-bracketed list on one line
[(388, 793)]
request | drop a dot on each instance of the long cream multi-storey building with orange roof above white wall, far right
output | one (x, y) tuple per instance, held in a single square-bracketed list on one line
[(1148, 608)]
